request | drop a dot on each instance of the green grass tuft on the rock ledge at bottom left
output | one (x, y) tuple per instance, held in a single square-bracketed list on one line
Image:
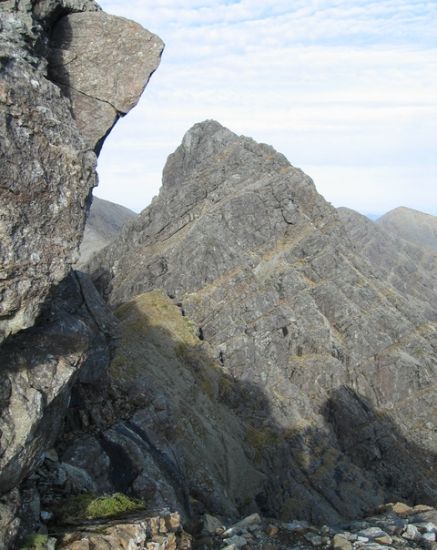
[(87, 506)]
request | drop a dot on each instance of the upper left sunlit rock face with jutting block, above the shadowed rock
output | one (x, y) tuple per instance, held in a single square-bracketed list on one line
[(48, 164)]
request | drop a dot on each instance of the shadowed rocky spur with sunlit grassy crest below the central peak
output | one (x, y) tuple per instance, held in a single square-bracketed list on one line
[(166, 426)]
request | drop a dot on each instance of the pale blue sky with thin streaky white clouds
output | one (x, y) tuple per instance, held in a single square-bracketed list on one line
[(345, 89)]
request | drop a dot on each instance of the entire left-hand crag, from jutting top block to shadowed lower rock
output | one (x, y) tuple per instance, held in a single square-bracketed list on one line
[(52, 328)]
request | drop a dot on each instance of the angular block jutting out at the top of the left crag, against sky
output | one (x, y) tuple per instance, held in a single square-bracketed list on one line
[(103, 64)]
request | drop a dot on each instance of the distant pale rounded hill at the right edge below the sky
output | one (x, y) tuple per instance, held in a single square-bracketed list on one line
[(411, 225)]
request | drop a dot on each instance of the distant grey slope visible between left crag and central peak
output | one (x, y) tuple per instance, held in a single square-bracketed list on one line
[(103, 224)]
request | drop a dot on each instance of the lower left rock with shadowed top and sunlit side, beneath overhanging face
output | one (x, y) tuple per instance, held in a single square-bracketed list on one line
[(39, 366)]
